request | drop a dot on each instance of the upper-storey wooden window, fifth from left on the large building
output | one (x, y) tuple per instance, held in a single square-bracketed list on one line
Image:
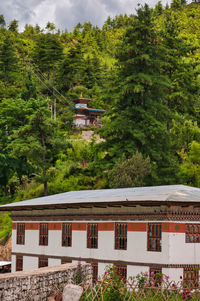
[(120, 236)]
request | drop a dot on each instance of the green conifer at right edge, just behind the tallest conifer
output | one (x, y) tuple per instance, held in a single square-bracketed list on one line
[(183, 92)]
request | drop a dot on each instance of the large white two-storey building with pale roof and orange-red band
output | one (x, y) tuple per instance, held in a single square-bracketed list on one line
[(138, 229)]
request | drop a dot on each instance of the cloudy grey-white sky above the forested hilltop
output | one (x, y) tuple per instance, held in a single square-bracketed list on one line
[(65, 14)]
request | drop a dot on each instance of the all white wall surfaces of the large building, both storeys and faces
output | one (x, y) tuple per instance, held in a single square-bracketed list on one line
[(174, 249)]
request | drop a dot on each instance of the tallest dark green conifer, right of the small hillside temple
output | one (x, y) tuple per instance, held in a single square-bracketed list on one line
[(138, 120)]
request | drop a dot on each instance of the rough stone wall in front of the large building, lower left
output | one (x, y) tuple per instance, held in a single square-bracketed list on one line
[(38, 285)]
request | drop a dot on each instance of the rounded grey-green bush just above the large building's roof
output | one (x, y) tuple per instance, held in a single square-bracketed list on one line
[(129, 172)]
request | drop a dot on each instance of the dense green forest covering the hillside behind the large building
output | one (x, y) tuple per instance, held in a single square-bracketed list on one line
[(143, 69)]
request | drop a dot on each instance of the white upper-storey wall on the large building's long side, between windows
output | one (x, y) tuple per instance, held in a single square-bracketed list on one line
[(136, 246)]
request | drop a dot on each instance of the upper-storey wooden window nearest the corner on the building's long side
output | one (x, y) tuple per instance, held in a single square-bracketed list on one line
[(154, 237)]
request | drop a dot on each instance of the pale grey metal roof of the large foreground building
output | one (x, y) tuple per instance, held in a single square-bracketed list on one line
[(140, 195)]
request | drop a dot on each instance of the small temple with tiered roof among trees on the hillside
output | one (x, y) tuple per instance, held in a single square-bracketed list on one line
[(85, 116)]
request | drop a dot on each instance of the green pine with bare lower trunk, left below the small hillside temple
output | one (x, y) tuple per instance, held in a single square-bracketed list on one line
[(37, 142)]
